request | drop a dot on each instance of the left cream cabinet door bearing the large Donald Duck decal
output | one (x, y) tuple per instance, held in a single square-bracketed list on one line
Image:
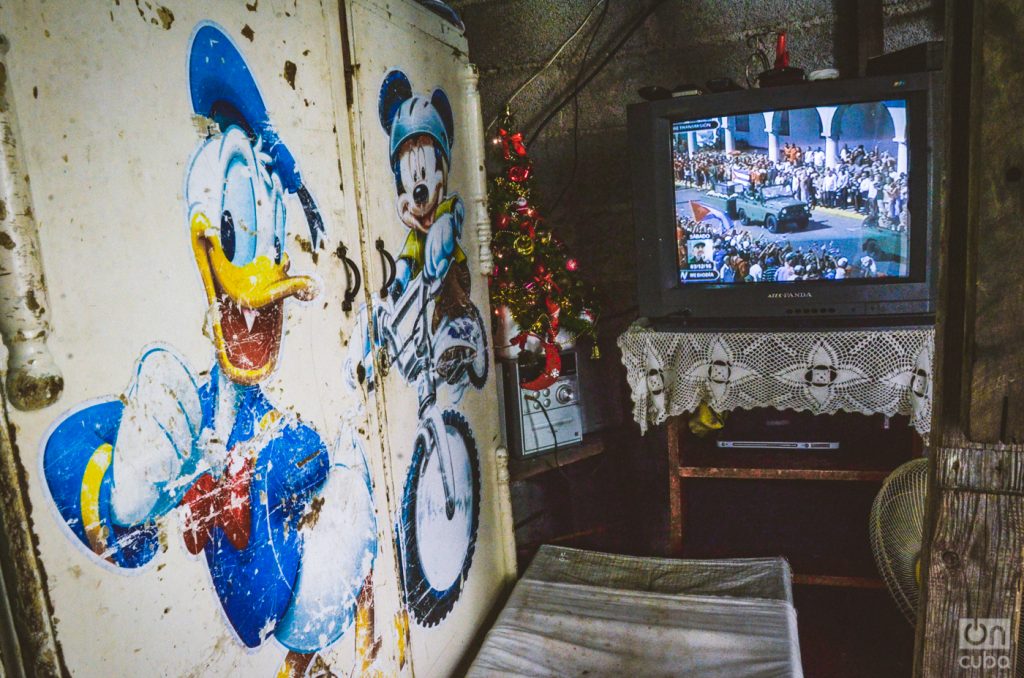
[(209, 494)]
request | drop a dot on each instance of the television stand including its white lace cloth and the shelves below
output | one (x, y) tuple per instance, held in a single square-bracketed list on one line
[(867, 390)]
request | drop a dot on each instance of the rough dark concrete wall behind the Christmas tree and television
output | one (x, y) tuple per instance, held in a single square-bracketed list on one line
[(682, 43)]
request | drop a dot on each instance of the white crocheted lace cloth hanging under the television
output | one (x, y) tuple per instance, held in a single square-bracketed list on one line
[(868, 372)]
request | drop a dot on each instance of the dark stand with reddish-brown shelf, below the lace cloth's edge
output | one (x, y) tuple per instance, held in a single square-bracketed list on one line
[(870, 448)]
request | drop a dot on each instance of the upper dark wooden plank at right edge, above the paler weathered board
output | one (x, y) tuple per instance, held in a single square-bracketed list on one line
[(995, 388)]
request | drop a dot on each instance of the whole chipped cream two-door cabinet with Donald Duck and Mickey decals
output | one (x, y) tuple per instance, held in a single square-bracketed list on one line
[(249, 415)]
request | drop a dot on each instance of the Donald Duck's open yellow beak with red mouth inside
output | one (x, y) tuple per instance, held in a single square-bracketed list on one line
[(248, 302)]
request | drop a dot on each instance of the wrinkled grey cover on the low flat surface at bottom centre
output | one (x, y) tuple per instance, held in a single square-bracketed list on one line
[(580, 613)]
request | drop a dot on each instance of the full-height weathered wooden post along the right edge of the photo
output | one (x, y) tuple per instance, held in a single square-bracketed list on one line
[(973, 563)]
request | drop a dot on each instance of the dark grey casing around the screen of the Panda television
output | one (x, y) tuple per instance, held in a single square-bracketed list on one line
[(663, 298)]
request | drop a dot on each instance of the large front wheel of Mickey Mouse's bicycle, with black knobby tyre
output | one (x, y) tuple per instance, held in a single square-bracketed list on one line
[(438, 552)]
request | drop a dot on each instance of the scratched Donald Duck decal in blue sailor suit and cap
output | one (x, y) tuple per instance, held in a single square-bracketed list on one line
[(288, 533)]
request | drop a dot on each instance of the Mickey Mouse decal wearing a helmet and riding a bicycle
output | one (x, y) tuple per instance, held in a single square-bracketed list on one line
[(436, 336)]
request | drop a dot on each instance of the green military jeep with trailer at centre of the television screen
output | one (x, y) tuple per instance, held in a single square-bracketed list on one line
[(775, 206)]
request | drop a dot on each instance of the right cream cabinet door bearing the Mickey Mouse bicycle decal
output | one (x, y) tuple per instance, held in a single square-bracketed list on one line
[(422, 209)]
